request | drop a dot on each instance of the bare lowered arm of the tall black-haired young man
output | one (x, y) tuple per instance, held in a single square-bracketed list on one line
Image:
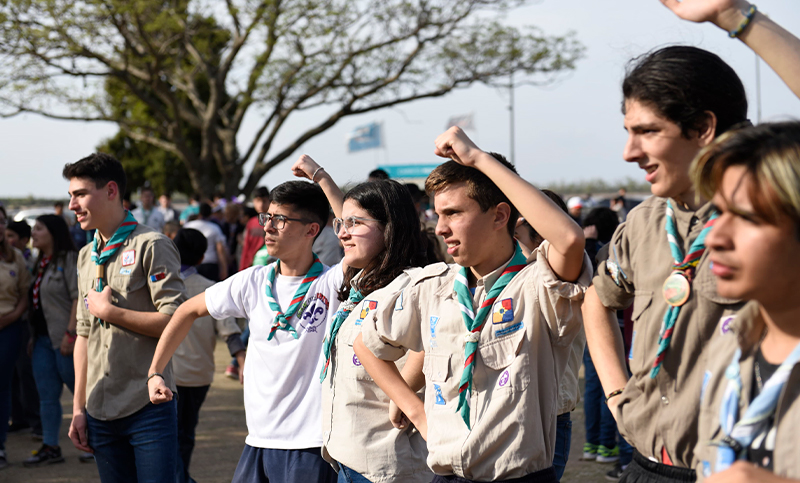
[(605, 343)]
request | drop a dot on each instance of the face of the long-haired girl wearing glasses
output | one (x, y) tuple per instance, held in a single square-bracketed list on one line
[(365, 241)]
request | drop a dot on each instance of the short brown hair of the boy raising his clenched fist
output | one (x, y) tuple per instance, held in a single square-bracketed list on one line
[(479, 187)]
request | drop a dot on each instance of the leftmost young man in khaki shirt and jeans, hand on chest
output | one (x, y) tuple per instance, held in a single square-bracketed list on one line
[(128, 287)]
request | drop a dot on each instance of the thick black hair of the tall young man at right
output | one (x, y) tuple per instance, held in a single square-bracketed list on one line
[(683, 82)]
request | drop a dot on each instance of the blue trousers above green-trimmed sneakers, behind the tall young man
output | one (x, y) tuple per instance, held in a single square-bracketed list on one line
[(600, 425)]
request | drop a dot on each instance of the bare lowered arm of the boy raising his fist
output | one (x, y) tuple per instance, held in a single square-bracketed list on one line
[(389, 379)]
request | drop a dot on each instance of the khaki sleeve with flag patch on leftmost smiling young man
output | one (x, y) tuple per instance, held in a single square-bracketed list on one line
[(162, 267)]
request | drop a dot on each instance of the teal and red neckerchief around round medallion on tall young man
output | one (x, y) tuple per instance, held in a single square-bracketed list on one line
[(685, 266)]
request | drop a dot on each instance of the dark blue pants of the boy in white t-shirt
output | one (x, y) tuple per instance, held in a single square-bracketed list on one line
[(262, 465)]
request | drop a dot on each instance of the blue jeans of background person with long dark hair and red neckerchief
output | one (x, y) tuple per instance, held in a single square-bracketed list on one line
[(51, 371)]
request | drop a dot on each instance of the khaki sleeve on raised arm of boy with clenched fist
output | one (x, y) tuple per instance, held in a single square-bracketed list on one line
[(559, 301)]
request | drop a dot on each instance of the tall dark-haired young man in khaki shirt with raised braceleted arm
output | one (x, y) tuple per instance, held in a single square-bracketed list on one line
[(676, 101)]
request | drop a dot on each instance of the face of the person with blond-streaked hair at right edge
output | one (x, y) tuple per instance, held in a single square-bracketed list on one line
[(752, 259)]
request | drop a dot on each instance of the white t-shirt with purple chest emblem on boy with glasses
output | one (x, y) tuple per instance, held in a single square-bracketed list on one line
[(282, 392)]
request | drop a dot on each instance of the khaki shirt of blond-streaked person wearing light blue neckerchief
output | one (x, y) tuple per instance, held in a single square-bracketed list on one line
[(745, 333)]
